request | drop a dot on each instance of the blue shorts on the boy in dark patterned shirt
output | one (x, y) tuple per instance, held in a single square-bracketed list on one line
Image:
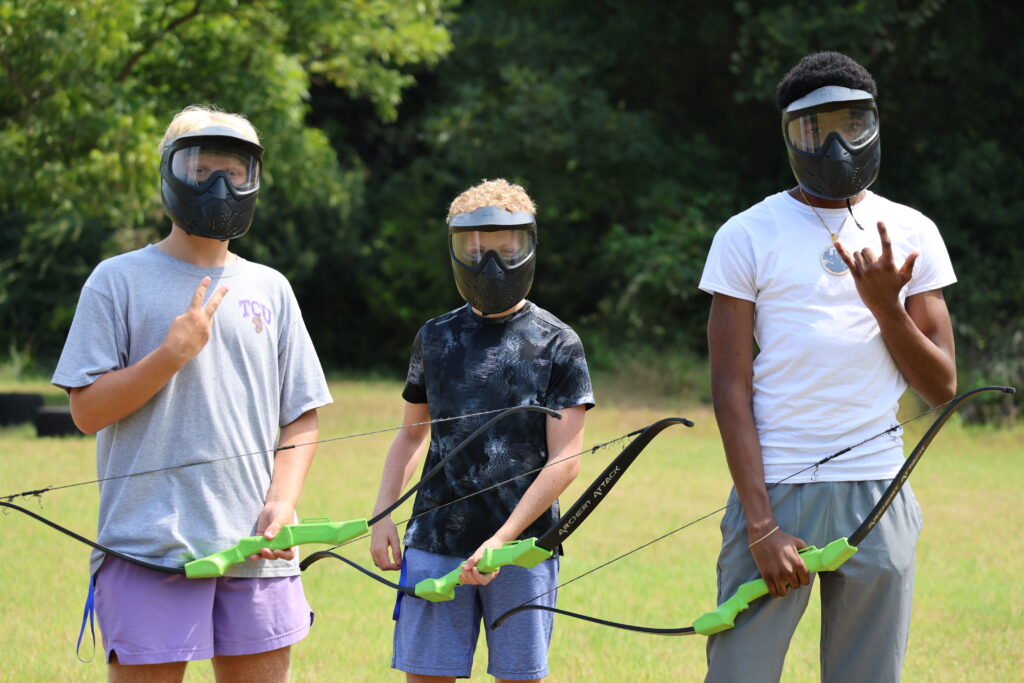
[(439, 638)]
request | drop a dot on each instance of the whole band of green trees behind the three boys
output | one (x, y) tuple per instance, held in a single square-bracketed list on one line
[(639, 127)]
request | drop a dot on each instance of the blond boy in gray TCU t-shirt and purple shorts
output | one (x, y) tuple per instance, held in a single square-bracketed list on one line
[(183, 352)]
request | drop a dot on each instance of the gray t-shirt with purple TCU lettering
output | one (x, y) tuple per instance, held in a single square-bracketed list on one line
[(258, 373)]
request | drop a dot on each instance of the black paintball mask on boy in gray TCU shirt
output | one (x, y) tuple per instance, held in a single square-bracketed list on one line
[(209, 183)]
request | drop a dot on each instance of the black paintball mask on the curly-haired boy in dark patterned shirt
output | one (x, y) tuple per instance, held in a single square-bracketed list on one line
[(494, 257)]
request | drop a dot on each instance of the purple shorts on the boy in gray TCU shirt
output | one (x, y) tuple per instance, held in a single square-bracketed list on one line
[(148, 617)]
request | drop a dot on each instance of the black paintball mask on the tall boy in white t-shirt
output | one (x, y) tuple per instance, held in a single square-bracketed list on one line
[(832, 137)]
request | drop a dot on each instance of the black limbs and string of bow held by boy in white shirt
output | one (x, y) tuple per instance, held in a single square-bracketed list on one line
[(887, 498)]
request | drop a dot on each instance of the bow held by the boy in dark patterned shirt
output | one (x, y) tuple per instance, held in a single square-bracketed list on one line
[(528, 553)]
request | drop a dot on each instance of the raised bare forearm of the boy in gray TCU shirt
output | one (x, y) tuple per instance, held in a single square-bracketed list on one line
[(118, 394)]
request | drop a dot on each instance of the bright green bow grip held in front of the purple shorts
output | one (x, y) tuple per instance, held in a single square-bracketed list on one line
[(317, 530)]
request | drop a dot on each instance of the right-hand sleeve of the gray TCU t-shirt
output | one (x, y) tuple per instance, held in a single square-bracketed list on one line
[(304, 387)]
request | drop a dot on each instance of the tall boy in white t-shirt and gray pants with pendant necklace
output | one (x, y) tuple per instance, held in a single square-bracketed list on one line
[(844, 318)]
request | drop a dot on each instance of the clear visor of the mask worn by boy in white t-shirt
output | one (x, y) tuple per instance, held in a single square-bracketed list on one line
[(858, 124)]
